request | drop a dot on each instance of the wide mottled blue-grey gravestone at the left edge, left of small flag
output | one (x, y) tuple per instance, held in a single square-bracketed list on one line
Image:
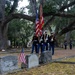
[(8, 64)]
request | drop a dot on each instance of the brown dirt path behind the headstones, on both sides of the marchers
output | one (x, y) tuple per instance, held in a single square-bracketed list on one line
[(59, 53)]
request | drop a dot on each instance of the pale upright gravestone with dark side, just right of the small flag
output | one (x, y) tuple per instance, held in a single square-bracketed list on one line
[(32, 60)]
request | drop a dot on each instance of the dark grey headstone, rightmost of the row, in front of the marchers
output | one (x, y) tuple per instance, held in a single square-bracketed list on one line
[(45, 57)]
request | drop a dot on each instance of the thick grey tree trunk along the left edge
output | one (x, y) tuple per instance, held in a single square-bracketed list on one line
[(3, 27)]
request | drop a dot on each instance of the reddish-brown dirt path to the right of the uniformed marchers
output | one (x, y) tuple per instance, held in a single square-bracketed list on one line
[(60, 53)]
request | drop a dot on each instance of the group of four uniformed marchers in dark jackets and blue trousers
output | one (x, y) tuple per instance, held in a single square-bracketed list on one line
[(43, 43)]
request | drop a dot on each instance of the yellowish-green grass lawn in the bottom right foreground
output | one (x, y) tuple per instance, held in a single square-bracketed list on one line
[(64, 67)]
